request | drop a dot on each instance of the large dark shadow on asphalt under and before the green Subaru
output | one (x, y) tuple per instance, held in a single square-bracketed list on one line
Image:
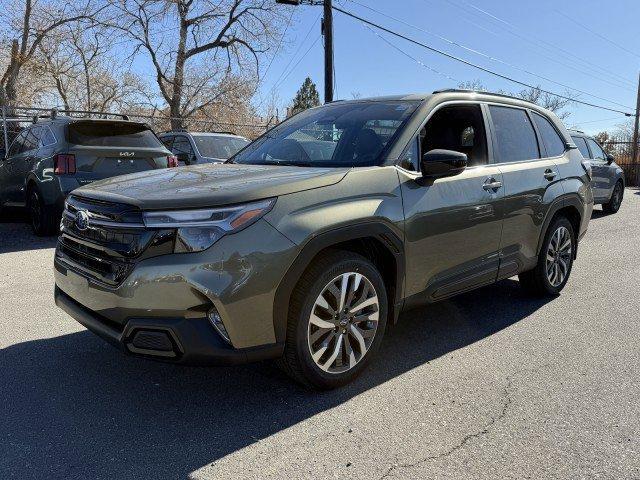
[(75, 407)]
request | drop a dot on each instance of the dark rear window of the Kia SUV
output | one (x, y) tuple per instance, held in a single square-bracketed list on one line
[(112, 134)]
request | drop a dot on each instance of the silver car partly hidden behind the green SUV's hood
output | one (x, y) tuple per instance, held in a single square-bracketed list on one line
[(198, 147)]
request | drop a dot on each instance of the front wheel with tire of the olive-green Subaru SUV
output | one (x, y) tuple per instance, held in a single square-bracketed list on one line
[(355, 341)]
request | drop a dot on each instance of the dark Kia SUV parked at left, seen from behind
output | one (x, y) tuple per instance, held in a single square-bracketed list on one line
[(55, 155)]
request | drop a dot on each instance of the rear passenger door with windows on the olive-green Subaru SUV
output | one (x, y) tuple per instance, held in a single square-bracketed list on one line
[(531, 181)]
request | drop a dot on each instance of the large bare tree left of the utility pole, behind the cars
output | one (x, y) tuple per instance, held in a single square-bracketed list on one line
[(212, 42)]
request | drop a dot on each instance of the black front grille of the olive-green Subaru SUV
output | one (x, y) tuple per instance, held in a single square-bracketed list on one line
[(111, 242)]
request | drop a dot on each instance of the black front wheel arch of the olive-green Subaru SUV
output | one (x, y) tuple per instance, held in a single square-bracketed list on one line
[(374, 240)]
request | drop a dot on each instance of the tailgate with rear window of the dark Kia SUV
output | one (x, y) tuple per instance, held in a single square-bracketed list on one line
[(104, 149)]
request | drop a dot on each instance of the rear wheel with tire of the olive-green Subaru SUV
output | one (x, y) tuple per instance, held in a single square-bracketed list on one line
[(554, 261)]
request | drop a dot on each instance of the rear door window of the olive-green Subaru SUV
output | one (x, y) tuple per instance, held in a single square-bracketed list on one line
[(515, 137)]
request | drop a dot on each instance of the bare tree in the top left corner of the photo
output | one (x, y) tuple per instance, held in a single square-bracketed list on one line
[(26, 25)]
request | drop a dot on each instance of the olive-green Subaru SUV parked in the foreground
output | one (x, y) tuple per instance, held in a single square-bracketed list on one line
[(309, 242)]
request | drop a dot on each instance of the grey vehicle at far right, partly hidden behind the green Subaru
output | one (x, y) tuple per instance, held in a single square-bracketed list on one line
[(607, 177)]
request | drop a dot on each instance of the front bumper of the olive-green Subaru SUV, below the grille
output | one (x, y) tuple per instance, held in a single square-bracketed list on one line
[(170, 296)]
